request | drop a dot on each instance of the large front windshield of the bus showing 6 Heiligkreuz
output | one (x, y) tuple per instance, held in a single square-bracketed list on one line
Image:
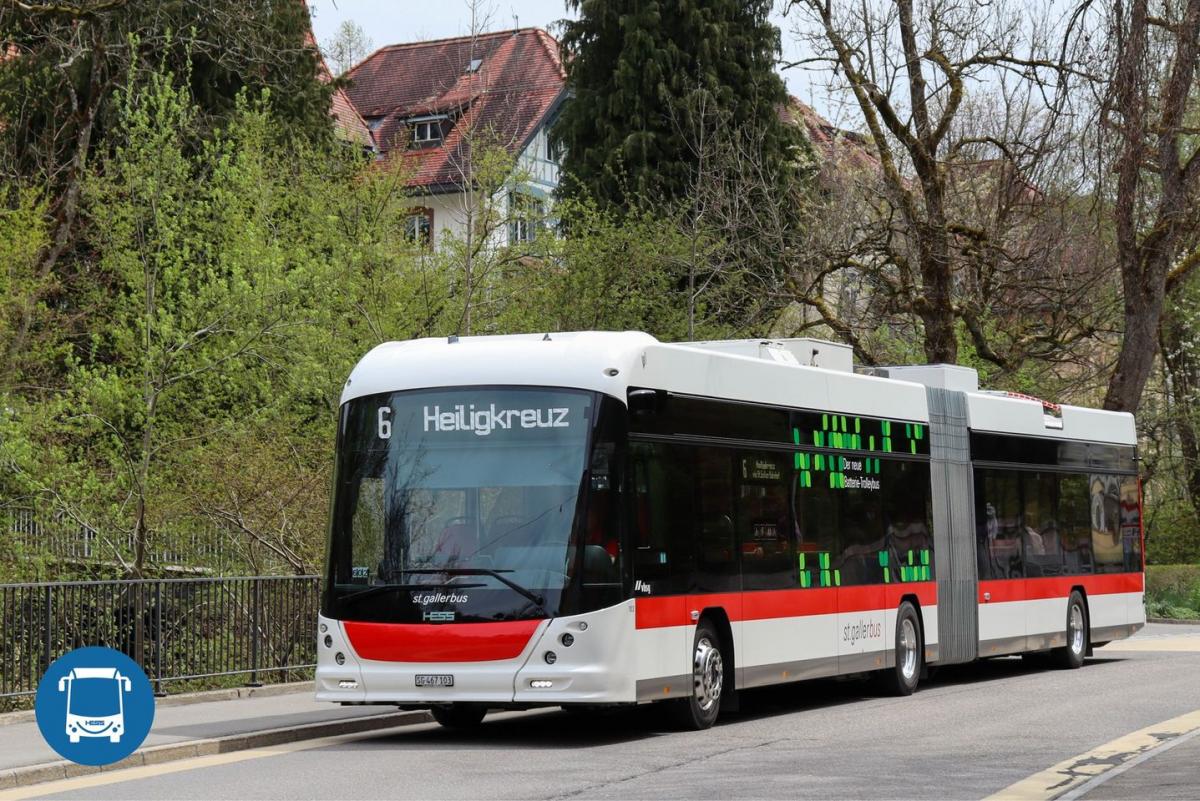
[(457, 505)]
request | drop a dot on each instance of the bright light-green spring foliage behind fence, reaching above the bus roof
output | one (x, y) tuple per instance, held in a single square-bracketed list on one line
[(233, 282)]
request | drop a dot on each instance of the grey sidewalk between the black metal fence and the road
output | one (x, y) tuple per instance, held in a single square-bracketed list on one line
[(221, 725)]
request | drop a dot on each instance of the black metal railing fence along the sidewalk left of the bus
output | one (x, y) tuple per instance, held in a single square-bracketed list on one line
[(177, 630)]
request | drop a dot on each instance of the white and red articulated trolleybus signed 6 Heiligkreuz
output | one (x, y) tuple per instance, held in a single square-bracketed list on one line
[(583, 520)]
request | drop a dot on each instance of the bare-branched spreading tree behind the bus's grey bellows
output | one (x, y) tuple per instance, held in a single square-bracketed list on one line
[(965, 190)]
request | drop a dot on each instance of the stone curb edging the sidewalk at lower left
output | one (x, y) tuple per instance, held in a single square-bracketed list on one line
[(31, 775)]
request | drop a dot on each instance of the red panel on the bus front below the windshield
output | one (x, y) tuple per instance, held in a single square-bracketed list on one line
[(441, 643)]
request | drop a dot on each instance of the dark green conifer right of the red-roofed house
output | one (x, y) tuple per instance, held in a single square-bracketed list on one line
[(635, 68)]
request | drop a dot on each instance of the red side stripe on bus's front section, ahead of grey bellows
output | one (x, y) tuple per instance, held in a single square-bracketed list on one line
[(769, 605)]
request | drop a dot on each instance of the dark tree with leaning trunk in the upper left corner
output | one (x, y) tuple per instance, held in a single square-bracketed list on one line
[(63, 63)]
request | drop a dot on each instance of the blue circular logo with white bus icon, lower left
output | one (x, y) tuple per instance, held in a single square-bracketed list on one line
[(94, 706)]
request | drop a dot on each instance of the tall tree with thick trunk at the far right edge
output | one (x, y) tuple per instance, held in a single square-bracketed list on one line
[(1153, 56)]
